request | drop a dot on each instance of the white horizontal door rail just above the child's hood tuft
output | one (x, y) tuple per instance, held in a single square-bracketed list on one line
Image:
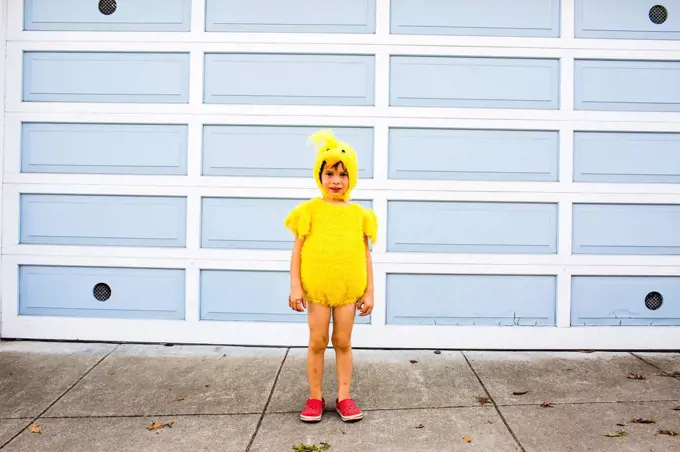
[(294, 114)]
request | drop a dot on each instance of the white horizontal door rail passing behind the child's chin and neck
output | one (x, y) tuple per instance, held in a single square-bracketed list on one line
[(366, 189)]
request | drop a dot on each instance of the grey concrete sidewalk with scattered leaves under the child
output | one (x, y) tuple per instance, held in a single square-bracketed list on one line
[(105, 397)]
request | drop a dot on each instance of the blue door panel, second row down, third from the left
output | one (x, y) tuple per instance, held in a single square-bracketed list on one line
[(474, 82)]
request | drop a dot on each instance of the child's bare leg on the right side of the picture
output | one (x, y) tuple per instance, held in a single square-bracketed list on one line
[(343, 322)]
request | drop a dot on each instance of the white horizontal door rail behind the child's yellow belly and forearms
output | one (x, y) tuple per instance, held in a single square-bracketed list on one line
[(506, 264)]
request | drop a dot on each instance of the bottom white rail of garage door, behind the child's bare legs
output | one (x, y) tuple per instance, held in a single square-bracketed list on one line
[(387, 336)]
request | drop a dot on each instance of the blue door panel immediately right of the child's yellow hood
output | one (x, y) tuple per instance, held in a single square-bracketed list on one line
[(484, 155)]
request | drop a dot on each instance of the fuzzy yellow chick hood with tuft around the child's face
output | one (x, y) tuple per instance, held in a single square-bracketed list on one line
[(331, 151)]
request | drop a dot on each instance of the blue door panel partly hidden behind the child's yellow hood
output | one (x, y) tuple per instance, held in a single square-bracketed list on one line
[(275, 151)]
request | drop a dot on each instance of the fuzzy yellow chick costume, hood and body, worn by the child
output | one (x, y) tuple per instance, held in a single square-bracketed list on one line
[(333, 258)]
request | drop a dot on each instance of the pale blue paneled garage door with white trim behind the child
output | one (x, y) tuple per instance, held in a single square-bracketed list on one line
[(523, 162)]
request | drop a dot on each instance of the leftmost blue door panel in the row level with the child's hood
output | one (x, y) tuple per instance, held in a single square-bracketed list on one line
[(104, 148)]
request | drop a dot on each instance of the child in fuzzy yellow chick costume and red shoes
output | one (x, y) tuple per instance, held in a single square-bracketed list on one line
[(331, 269)]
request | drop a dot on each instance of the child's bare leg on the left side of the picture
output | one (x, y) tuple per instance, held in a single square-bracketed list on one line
[(318, 317)]
